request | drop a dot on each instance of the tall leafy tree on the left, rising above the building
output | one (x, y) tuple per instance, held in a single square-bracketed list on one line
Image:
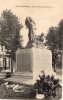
[(10, 32)]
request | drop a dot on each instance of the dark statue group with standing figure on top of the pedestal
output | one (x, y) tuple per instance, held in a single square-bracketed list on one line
[(33, 41)]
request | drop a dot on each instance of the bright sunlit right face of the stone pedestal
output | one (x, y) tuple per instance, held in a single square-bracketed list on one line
[(42, 60)]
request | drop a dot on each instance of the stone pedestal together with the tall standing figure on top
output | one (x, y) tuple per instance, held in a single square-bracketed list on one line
[(32, 59)]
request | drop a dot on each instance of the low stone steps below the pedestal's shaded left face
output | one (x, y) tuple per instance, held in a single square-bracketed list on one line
[(22, 77)]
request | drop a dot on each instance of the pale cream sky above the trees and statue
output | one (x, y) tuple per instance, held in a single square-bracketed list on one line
[(43, 16)]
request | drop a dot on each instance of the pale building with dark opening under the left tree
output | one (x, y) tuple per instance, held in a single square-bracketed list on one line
[(5, 60)]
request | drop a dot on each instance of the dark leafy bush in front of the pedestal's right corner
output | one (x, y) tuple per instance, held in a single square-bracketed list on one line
[(46, 85)]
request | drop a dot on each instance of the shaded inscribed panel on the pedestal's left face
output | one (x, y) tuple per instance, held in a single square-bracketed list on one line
[(24, 62)]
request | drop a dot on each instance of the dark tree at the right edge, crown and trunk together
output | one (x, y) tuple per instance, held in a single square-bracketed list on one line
[(54, 41)]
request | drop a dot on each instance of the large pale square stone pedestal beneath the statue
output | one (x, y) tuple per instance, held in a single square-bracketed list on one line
[(33, 60)]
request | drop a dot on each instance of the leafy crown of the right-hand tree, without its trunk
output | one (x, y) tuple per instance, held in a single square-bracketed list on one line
[(54, 37)]
